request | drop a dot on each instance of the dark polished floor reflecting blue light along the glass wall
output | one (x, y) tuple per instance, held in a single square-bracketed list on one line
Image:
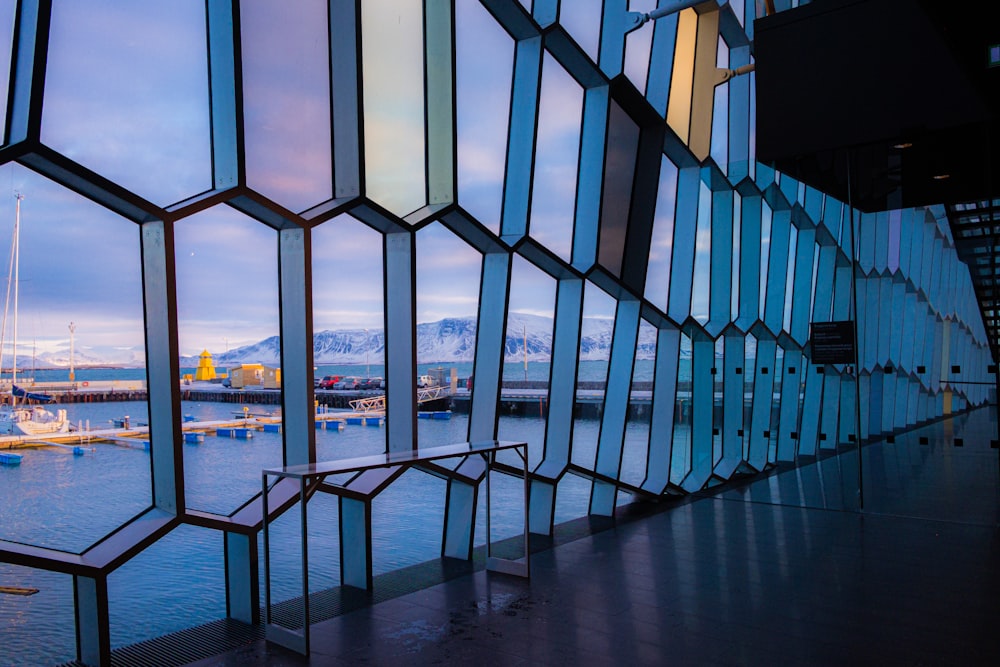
[(781, 571)]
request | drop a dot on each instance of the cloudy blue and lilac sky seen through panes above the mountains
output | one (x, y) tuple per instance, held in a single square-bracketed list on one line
[(127, 96)]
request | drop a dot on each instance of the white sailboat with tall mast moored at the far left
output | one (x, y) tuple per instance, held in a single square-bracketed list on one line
[(25, 419)]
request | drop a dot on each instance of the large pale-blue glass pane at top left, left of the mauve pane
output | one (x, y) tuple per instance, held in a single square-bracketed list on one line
[(126, 94)]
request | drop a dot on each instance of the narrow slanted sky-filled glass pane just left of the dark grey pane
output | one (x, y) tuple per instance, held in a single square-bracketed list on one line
[(556, 159)]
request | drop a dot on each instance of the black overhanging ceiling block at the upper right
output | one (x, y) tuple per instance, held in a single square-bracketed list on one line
[(896, 93)]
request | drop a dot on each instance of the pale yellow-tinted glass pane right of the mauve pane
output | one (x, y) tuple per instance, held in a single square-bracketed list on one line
[(392, 51)]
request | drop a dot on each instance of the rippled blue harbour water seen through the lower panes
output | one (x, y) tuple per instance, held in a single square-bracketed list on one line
[(60, 501)]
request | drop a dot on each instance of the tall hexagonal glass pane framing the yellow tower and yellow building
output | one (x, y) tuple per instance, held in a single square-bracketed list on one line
[(219, 253)]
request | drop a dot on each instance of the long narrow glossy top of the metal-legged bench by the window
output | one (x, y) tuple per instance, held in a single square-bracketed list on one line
[(409, 457)]
